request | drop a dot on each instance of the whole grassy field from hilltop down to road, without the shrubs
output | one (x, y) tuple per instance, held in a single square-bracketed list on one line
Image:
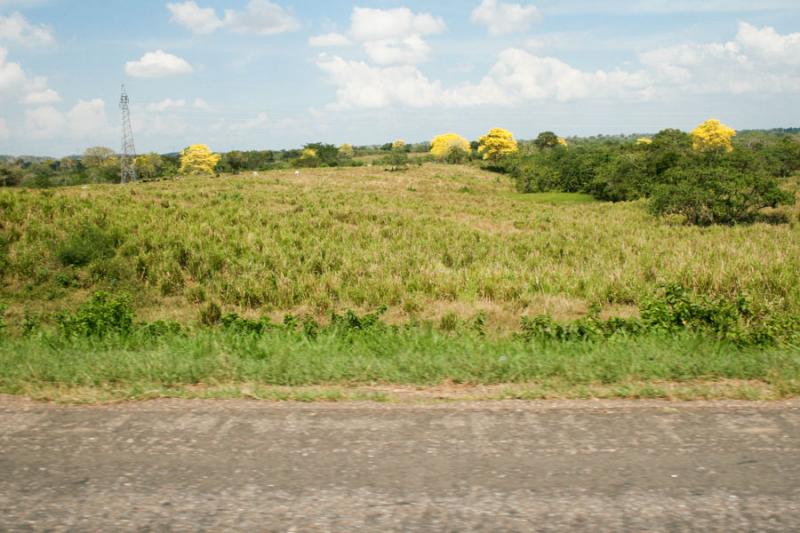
[(437, 245)]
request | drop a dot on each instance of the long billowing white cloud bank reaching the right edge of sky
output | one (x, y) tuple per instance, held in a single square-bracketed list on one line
[(758, 60)]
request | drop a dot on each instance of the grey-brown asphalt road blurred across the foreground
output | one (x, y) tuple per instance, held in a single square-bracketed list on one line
[(510, 466)]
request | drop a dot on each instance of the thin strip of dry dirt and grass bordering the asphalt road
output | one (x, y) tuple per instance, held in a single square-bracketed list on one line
[(698, 391)]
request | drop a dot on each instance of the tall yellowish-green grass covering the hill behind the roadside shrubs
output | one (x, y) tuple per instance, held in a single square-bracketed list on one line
[(428, 242)]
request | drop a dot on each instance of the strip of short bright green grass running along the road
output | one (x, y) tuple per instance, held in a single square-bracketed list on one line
[(404, 356)]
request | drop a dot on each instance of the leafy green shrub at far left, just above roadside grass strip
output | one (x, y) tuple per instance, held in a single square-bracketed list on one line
[(101, 315)]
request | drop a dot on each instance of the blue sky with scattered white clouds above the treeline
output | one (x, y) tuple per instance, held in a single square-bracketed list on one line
[(257, 74)]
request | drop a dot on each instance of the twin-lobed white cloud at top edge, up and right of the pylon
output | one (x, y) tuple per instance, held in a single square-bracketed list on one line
[(259, 17)]
